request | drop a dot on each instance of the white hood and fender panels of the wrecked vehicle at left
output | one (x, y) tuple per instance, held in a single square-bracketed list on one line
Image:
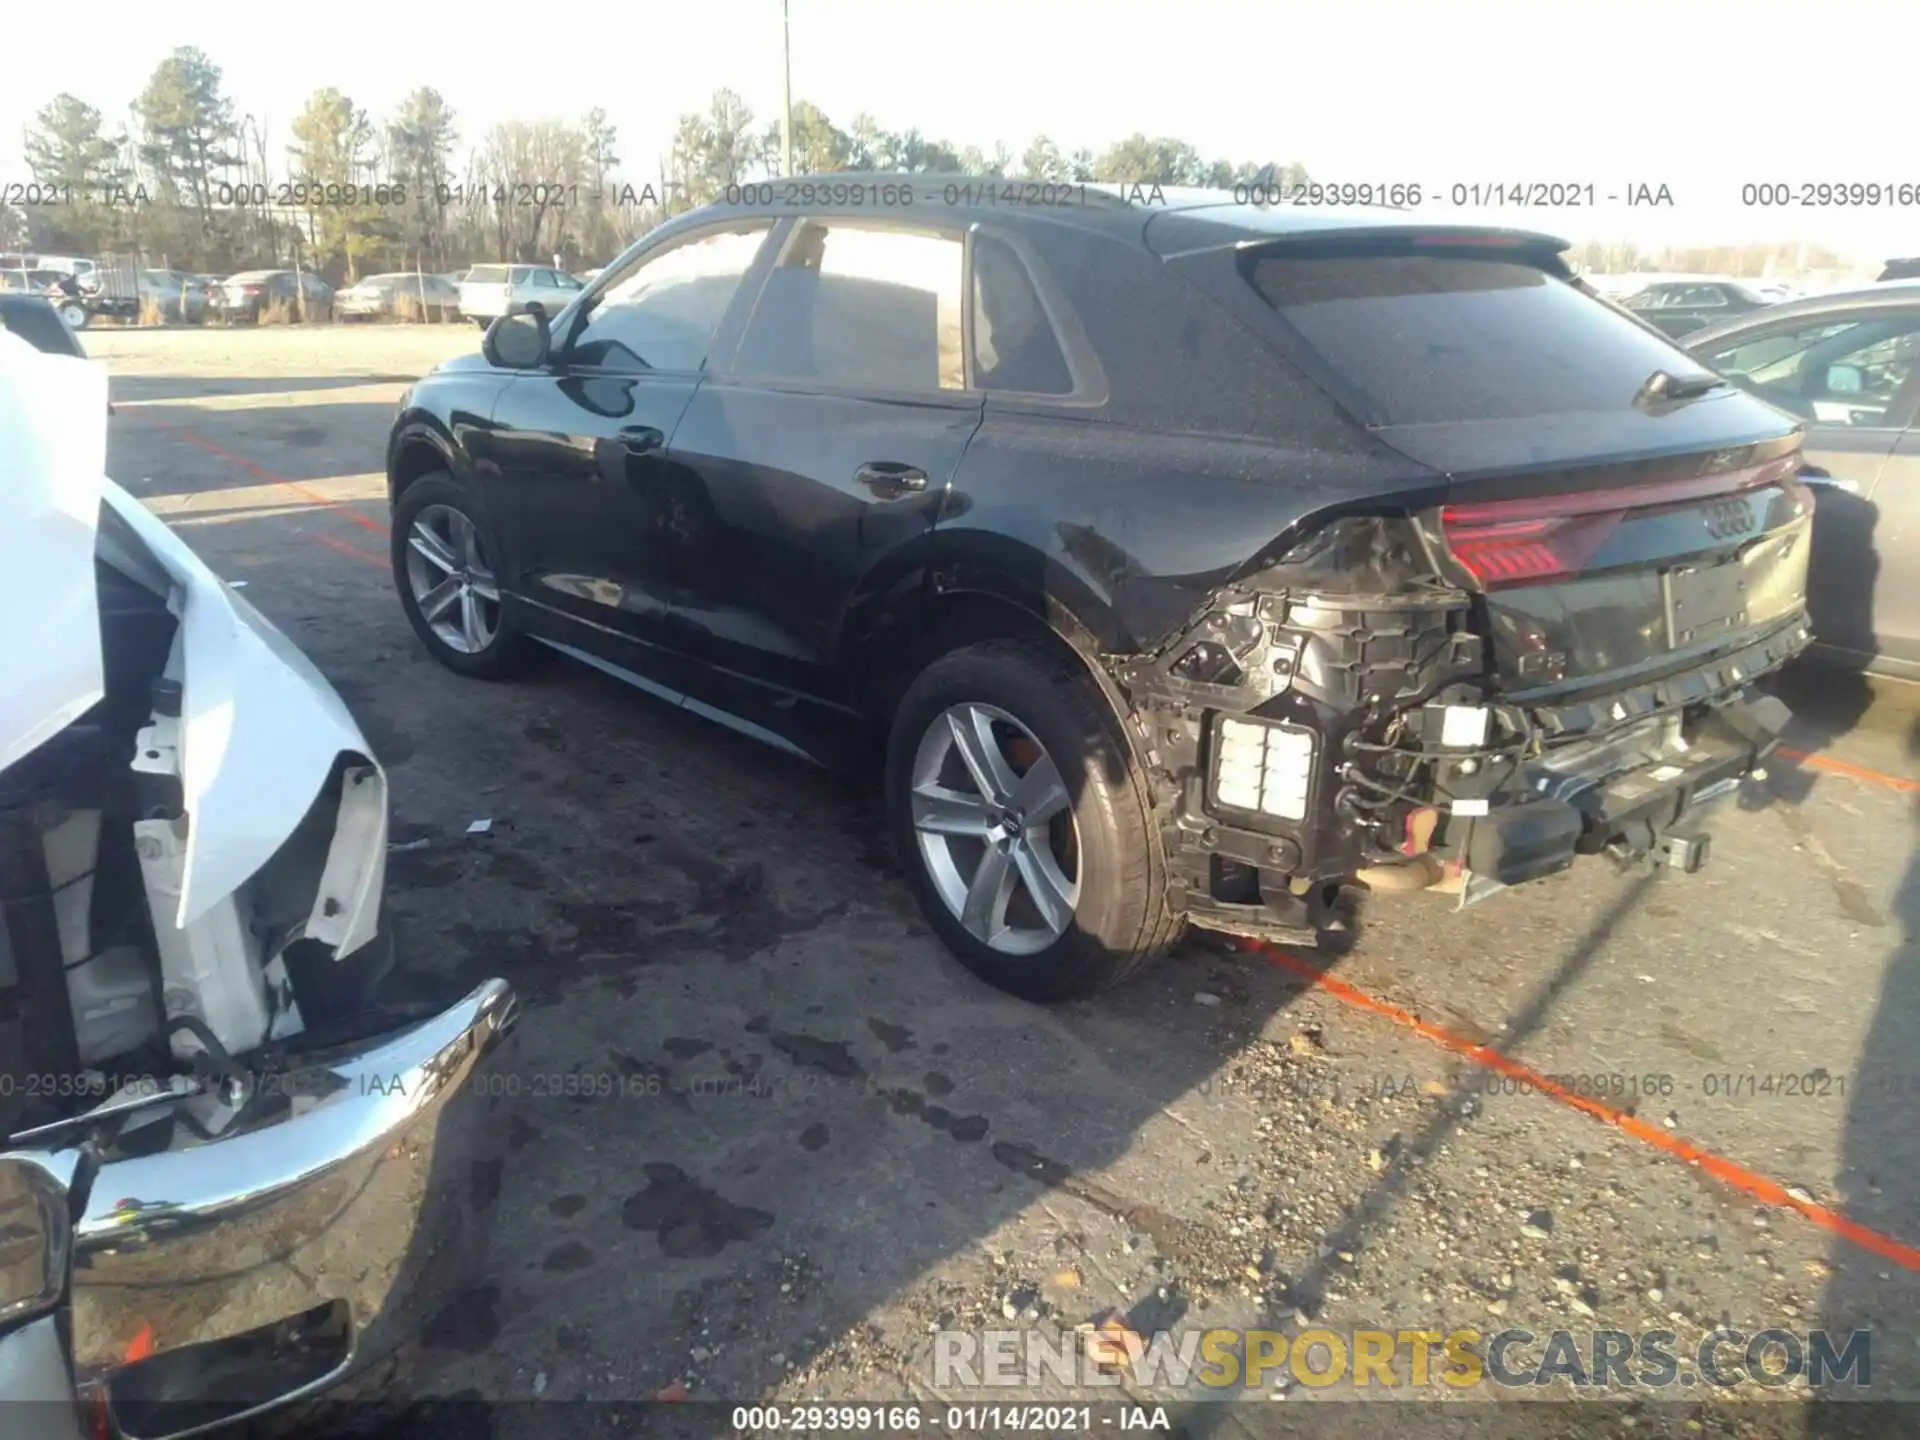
[(260, 729)]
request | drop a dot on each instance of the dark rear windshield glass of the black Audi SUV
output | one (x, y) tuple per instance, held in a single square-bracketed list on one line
[(1441, 339)]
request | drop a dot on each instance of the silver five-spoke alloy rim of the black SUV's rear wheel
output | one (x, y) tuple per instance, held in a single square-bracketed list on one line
[(996, 828)]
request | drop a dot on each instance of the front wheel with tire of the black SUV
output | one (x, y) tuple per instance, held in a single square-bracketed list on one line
[(443, 562)]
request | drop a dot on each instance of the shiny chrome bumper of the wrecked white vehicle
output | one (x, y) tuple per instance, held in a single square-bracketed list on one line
[(364, 1189)]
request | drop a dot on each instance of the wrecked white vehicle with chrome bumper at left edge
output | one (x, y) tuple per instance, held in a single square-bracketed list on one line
[(226, 1180)]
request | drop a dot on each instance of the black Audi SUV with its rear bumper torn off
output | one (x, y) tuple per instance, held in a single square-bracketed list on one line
[(1147, 548)]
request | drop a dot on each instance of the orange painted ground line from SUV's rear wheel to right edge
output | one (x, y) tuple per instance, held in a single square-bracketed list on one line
[(1719, 1166)]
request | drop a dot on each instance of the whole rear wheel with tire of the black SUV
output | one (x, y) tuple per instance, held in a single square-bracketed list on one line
[(1024, 827)]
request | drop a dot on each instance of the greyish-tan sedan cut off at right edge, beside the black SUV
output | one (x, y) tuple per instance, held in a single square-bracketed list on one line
[(1848, 366)]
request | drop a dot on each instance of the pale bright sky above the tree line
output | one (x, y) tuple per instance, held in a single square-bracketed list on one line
[(1691, 95)]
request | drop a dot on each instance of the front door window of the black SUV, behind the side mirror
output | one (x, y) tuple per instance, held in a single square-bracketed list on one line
[(663, 310)]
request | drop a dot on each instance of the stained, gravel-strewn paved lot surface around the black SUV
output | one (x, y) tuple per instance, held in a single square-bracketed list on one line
[(767, 1138)]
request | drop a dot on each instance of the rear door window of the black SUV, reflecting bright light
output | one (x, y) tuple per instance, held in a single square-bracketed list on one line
[(861, 308)]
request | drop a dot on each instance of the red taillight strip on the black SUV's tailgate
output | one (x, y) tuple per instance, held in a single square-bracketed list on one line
[(1512, 542)]
